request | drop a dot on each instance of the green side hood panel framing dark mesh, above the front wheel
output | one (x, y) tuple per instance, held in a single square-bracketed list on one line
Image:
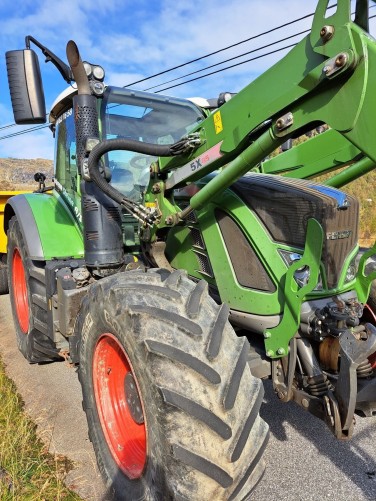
[(238, 297)]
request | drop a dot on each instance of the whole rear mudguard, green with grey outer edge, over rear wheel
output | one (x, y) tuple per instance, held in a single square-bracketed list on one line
[(49, 228)]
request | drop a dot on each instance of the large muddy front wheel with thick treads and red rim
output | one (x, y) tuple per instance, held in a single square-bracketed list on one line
[(171, 405)]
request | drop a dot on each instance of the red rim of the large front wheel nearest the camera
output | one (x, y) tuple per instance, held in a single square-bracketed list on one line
[(125, 437)]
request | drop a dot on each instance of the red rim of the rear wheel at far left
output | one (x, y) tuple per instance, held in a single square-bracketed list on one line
[(20, 291)]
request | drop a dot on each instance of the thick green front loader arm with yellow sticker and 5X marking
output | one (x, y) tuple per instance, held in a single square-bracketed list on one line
[(327, 78)]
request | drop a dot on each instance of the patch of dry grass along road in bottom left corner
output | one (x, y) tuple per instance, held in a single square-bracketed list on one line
[(27, 471)]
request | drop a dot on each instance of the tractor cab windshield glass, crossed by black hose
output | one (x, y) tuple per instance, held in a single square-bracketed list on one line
[(150, 118)]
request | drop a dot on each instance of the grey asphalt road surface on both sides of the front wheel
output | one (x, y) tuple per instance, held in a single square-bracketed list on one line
[(304, 461)]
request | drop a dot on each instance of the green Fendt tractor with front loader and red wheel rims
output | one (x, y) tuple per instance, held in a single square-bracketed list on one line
[(176, 273)]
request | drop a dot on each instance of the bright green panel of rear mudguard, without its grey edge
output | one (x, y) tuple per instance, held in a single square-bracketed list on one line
[(60, 235)]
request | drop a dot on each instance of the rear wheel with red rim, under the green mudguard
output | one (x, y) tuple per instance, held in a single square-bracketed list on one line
[(28, 299)]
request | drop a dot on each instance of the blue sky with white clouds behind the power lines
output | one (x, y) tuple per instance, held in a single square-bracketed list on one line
[(135, 39)]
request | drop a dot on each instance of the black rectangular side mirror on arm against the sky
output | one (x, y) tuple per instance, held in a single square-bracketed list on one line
[(26, 88)]
